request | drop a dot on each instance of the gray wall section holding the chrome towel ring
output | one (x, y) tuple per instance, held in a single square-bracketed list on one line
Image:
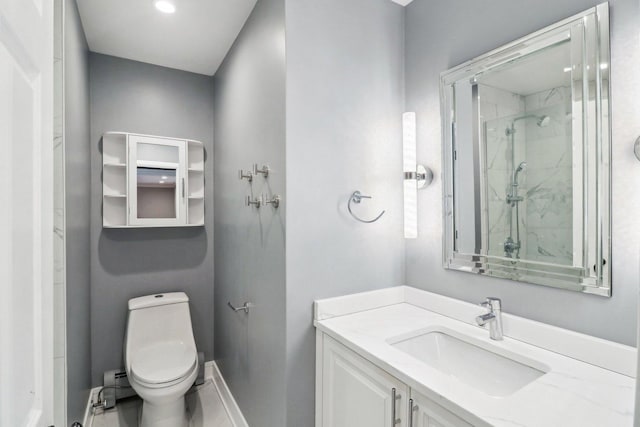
[(344, 105)]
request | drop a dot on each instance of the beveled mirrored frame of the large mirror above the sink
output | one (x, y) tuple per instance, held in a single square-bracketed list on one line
[(592, 273)]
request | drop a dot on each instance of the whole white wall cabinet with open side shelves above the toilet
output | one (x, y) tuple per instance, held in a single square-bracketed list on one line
[(151, 181)]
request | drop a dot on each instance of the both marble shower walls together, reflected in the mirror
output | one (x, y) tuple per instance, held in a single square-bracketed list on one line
[(545, 214)]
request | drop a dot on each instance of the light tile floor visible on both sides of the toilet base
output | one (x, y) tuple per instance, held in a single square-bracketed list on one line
[(204, 407)]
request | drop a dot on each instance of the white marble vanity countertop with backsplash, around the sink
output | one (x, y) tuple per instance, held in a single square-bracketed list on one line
[(572, 392)]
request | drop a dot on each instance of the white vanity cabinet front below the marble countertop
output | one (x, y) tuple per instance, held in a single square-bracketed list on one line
[(353, 392)]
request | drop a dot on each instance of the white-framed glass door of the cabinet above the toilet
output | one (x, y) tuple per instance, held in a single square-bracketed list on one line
[(156, 181)]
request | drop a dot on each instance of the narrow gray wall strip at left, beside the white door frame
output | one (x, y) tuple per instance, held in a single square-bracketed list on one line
[(77, 196)]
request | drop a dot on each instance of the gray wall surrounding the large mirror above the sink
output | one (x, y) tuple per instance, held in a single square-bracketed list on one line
[(441, 34)]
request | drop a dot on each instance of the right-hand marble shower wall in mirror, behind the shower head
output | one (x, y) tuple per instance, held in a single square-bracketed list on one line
[(548, 178)]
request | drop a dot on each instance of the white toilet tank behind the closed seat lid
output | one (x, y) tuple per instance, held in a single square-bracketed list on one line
[(159, 317)]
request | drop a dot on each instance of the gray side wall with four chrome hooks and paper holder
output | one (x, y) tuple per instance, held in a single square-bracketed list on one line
[(249, 92)]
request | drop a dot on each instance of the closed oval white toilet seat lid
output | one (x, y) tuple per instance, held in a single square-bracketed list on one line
[(163, 362)]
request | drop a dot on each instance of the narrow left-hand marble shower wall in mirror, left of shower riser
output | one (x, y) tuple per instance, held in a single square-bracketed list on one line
[(496, 108)]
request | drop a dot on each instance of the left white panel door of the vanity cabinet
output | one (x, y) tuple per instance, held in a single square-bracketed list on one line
[(357, 393)]
